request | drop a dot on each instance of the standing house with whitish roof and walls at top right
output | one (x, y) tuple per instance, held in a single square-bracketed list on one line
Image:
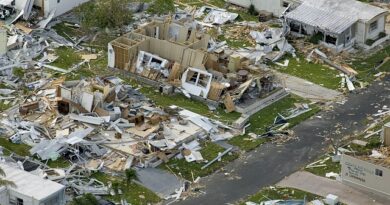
[(338, 24)]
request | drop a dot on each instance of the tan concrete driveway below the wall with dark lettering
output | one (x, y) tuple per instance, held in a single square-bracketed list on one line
[(323, 186)]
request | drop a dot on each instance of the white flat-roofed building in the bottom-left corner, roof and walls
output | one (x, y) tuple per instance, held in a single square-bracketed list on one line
[(30, 189)]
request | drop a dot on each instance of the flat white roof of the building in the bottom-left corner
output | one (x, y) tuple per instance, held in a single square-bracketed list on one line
[(29, 184)]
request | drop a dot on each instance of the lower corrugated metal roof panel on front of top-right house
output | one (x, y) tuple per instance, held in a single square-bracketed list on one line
[(325, 20)]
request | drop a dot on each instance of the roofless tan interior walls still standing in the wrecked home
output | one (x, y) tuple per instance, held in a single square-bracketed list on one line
[(159, 39)]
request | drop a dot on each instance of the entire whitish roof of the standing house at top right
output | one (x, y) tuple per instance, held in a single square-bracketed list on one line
[(333, 15)]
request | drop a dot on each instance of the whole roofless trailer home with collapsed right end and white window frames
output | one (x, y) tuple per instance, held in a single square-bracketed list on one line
[(195, 65)]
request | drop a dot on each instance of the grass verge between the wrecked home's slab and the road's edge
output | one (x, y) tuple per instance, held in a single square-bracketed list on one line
[(261, 120)]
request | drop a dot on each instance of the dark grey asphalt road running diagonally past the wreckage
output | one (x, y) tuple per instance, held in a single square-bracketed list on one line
[(270, 163)]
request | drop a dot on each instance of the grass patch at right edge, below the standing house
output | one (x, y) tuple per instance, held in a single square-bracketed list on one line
[(365, 64)]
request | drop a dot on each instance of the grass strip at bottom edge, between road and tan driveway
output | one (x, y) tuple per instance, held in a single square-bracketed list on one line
[(276, 193)]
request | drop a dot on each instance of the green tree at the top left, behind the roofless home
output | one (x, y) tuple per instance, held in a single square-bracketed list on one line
[(104, 14)]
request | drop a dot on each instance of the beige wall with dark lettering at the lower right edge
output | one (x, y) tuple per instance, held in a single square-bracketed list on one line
[(362, 174)]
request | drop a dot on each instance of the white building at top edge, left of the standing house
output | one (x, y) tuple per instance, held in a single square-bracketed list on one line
[(274, 6)]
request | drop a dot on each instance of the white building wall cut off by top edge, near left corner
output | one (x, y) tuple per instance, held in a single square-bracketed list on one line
[(61, 6)]
